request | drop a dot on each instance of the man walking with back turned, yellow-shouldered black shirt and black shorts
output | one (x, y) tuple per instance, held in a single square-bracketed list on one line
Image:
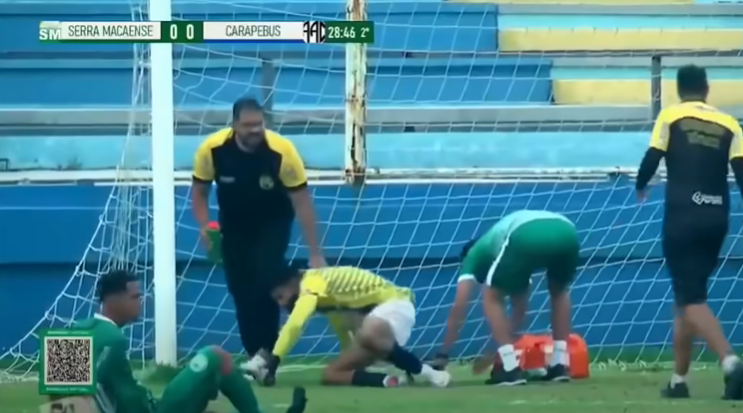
[(698, 143)]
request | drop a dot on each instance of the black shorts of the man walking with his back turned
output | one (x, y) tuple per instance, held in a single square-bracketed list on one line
[(692, 240)]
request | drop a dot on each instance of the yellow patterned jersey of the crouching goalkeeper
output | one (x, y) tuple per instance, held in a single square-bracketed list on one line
[(335, 290)]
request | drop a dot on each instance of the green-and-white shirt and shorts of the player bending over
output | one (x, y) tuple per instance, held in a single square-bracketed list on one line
[(520, 243)]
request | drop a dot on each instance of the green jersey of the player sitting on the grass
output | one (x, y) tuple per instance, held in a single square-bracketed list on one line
[(118, 391)]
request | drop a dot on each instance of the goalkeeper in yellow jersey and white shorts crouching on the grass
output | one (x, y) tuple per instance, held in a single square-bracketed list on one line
[(372, 317)]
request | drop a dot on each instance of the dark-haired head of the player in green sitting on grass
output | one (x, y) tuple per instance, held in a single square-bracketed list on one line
[(119, 293)]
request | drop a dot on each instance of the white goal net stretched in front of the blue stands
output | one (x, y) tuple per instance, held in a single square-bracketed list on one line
[(455, 138)]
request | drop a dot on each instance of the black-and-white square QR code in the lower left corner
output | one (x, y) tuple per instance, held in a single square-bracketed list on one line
[(68, 361)]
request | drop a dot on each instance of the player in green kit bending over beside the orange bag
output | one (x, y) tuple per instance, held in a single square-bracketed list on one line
[(503, 261)]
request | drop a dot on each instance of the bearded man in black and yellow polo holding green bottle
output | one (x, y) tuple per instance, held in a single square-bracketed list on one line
[(261, 186)]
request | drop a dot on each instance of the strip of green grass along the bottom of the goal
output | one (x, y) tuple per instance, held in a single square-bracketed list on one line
[(607, 391)]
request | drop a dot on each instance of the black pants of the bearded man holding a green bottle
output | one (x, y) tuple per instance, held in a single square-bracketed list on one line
[(251, 259)]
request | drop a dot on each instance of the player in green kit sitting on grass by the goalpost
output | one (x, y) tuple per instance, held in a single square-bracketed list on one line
[(208, 373)]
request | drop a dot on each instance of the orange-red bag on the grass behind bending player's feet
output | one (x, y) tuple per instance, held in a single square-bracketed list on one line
[(536, 350)]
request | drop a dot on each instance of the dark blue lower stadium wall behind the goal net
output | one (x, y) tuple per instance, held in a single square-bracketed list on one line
[(621, 299)]
